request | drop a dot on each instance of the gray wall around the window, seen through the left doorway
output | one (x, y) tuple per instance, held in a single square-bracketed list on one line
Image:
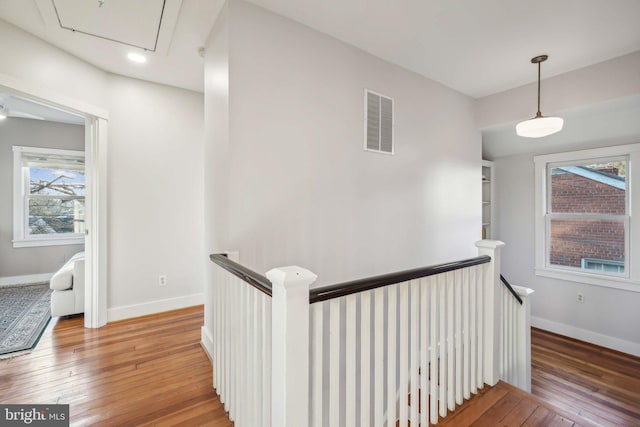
[(32, 133)]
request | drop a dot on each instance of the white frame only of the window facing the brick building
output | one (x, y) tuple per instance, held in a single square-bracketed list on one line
[(630, 279)]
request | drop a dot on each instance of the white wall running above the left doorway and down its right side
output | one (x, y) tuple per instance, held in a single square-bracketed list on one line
[(155, 140)]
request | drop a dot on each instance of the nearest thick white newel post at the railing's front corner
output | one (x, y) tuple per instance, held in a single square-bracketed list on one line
[(290, 346)]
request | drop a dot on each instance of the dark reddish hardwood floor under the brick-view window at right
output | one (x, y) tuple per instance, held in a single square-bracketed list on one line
[(599, 384)]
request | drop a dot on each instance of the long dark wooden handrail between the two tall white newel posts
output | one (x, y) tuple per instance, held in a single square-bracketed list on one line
[(339, 290)]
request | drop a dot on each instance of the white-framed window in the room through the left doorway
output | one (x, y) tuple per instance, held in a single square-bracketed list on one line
[(49, 197)]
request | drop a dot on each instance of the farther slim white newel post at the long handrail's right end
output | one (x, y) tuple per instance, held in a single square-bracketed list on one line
[(492, 310)]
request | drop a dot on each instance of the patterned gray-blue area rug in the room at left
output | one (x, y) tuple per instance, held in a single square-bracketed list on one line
[(25, 312)]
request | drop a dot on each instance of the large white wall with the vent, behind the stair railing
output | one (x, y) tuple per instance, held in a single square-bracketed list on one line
[(302, 190)]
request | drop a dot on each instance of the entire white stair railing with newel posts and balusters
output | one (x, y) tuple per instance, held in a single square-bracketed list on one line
[(409, 350)]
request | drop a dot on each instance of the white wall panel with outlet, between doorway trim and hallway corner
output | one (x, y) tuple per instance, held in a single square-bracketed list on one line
[(155, 192)]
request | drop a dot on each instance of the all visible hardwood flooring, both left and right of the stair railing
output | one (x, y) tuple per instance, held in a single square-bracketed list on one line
[(152, 371)]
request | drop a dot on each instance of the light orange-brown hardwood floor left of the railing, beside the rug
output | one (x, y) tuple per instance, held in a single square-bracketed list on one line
[(145, 371)]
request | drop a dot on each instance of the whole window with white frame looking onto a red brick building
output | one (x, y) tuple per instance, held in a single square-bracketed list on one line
[(583, 221)]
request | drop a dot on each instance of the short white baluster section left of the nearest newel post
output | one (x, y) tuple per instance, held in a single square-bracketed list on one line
[(242, 346)]
